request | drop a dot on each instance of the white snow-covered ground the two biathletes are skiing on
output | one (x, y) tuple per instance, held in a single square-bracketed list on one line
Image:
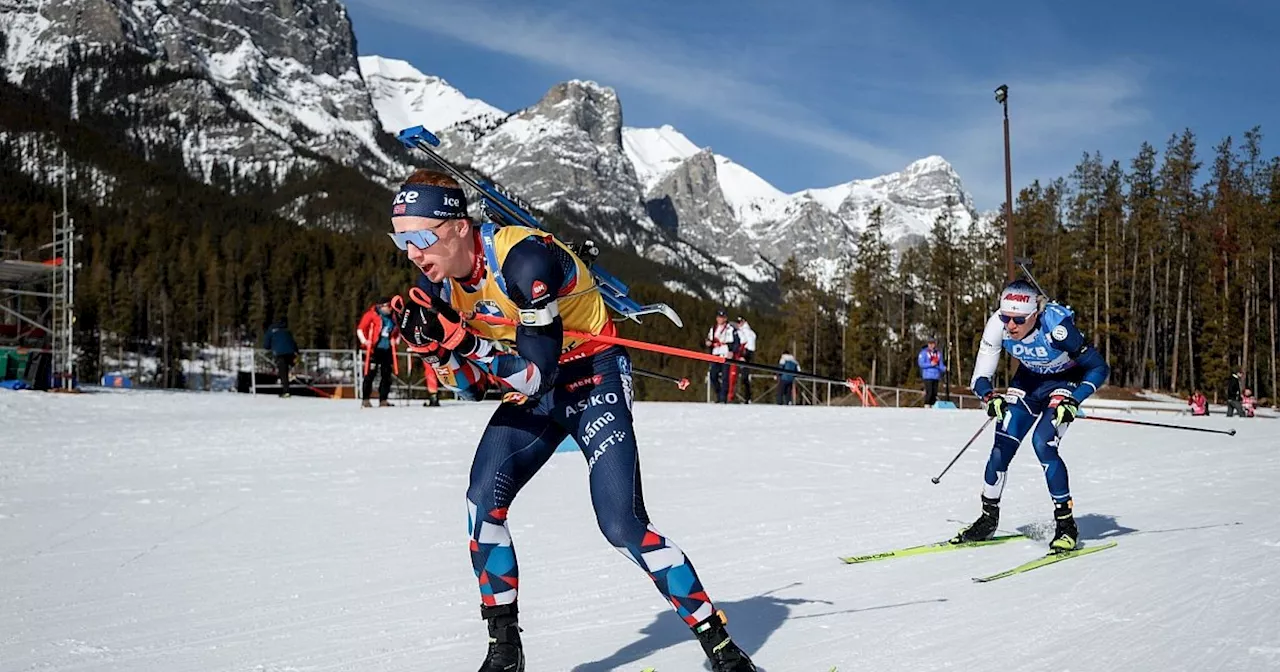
[(184, 532)]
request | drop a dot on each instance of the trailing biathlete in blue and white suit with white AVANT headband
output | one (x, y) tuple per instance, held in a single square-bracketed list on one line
[(1058, 372)]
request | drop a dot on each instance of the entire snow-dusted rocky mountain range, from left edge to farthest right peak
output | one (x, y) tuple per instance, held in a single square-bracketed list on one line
[(258, 95)]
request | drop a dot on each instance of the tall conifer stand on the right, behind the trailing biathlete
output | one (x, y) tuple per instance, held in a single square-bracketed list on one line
[(1168, 259)]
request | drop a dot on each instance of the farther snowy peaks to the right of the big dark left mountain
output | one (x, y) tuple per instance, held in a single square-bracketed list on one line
[(572, 149)]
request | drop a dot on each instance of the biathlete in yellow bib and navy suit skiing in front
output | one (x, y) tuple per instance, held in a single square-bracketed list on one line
[(493, 308)]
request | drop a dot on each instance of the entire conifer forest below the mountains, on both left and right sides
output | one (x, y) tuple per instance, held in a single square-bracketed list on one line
[(1167, 257)]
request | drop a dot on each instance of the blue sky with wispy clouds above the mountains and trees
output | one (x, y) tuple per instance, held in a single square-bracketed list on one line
[(817, 93)]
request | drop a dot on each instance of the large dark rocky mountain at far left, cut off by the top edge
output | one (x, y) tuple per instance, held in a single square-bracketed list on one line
[(241, 89)]
